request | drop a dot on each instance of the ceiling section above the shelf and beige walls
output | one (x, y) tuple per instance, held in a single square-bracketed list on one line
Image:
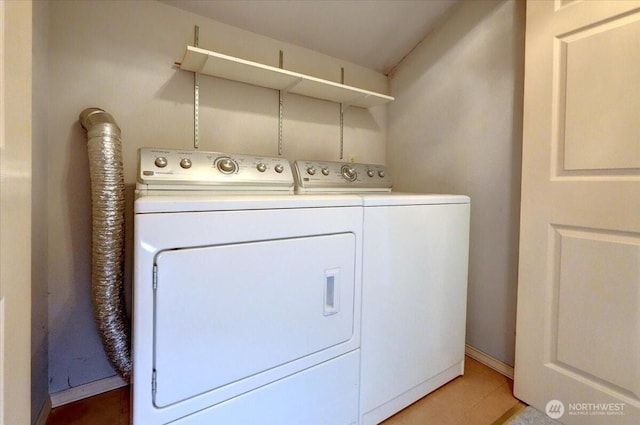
[(376, 34)]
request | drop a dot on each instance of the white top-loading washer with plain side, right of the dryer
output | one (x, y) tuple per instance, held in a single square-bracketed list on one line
[(415, 261)]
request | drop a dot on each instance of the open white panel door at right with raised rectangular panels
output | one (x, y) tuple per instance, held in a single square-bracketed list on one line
[(578, 324)]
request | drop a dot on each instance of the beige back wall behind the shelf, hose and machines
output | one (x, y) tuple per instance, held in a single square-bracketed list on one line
[(119, 56)]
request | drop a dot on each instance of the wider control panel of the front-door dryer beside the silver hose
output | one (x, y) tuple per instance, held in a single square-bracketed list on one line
[(175, 169)]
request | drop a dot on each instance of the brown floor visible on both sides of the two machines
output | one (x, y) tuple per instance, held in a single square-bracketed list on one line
[(481, 397)]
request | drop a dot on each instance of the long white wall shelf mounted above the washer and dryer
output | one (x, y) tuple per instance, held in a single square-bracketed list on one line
[(223, 66)]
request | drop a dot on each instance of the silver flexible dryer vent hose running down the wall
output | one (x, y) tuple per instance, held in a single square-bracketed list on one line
[(107, 255)]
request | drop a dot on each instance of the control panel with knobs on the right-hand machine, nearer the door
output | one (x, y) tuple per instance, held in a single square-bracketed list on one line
[(329, 176)]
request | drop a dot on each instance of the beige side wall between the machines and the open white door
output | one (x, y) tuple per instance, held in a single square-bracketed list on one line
[(455, 127)]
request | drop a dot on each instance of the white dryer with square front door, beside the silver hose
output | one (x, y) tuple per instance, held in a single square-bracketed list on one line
[(247, 299)]
